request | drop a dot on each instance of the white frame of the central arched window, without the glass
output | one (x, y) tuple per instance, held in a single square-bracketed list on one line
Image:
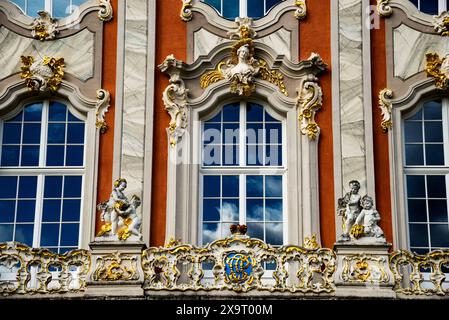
[(244, 170)]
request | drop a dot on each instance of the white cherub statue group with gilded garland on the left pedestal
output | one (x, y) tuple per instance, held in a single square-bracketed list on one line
[(122, 219)]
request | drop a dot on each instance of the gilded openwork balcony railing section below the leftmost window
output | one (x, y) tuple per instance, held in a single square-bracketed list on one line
[(26, 270)]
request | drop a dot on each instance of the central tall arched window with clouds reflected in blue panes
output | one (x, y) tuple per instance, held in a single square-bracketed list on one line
[(243, 173)]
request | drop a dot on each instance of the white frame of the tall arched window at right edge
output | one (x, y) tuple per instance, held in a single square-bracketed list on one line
[(425, 170)]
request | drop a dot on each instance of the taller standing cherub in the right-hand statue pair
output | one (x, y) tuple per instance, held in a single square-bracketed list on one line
[(349, 208)]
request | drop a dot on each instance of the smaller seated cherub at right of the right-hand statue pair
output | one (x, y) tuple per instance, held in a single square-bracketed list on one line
[(369, 219)]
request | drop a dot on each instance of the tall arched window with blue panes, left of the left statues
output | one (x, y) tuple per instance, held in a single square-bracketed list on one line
[(41, 173)]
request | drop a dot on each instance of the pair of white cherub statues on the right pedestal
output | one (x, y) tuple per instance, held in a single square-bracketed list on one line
[(360, 218)]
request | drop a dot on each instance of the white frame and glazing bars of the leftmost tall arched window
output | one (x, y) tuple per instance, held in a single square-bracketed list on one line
[(41, 171)]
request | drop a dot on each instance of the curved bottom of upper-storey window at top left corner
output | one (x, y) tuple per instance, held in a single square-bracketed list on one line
[(57, 8)]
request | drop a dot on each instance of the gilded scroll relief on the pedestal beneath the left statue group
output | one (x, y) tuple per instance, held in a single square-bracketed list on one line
[(116, 266)]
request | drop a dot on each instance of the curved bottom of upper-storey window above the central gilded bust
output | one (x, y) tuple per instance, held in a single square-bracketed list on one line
[(230, 9)]
